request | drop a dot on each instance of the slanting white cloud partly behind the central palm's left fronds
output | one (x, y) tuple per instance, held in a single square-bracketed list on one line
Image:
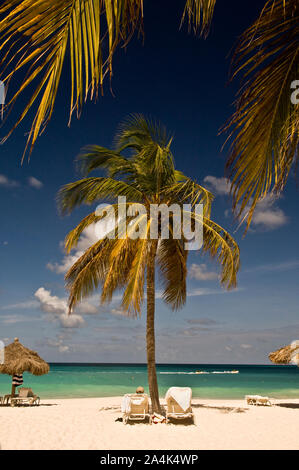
[(87, 239)]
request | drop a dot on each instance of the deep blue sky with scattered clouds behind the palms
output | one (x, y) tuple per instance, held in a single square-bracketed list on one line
[(181, 80)]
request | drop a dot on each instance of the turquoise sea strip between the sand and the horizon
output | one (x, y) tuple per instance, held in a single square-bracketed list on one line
[(217, 381)]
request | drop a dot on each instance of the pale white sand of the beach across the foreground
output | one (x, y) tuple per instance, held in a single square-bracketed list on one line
[(89, 423)]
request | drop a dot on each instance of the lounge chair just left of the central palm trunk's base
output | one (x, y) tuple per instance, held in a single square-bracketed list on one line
[(135, 407)]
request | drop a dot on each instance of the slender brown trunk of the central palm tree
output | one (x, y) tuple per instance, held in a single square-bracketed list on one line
[(150, 331)]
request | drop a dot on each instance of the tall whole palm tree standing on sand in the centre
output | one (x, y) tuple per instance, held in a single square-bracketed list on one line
[(147, 176)]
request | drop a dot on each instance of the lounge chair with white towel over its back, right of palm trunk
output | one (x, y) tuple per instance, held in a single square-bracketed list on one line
[(178, 403)]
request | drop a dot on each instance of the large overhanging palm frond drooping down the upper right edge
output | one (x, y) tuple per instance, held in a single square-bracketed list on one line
[(265, 126)]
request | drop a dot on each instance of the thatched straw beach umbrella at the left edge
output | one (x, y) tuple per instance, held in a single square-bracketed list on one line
[(18, 359)]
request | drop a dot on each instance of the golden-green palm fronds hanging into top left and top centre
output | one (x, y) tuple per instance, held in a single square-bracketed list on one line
[(36, 36)]
